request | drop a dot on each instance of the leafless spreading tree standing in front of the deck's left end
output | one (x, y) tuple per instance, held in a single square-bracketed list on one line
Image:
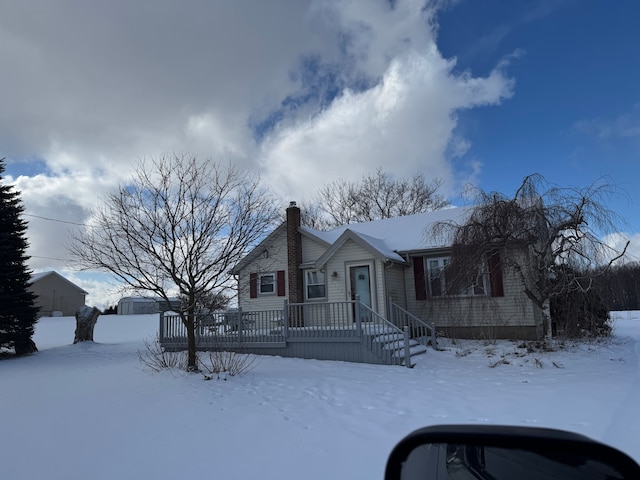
[(176, 230)]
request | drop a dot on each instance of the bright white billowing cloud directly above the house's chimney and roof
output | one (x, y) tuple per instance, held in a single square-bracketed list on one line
[(404, 124)]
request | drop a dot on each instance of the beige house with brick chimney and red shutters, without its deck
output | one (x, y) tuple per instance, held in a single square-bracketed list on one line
[(386, 263)]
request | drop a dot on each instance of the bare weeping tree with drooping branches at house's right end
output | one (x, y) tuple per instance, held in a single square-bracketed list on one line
[(550, 236)]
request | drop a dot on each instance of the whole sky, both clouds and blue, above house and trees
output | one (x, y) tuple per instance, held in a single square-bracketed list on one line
[(308, 92)]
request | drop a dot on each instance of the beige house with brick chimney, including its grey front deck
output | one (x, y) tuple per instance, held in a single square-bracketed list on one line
[(374, 292)]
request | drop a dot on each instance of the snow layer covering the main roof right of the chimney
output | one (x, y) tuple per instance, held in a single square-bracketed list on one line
[(399, 234)]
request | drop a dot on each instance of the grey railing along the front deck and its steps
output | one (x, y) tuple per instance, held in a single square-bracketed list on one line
[(342, 321)]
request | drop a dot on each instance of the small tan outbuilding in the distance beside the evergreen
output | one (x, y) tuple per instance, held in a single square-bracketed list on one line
[(55, 295)]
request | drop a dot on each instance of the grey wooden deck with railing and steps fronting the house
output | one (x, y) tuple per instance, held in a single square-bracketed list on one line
[(345, 331)]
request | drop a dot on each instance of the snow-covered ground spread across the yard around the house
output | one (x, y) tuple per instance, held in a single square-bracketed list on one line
[(91, 411)]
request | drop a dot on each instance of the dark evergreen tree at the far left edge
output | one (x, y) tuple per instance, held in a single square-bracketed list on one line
[(18, 312)]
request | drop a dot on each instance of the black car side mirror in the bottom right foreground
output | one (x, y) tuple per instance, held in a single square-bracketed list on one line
[(490, 452)]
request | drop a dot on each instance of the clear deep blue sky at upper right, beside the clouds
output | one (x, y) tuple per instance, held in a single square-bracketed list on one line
[(575, 112)]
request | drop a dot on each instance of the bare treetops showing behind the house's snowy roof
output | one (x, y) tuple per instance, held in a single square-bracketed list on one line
[(373, 197)]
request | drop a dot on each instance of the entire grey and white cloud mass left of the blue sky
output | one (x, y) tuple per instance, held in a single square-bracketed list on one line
[(95, 87)]
